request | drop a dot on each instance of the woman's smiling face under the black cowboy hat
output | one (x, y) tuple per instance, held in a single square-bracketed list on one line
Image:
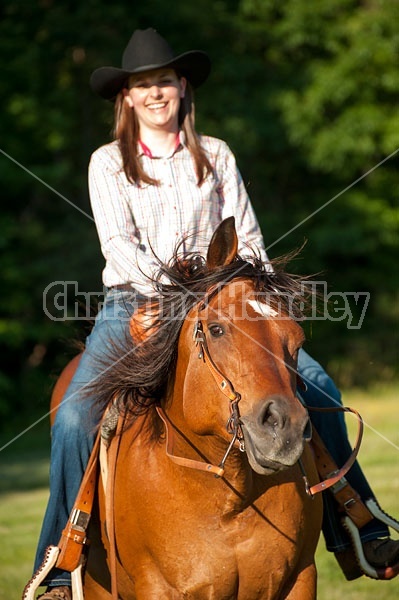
[(155, 97)]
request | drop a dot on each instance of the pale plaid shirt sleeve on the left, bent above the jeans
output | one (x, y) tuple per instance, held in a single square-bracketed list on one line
[(115, 224)]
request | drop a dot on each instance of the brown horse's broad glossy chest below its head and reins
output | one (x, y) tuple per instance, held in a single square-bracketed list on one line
[(182, 537)]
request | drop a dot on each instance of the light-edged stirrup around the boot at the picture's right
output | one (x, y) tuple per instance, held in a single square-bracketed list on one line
[(367, 569)]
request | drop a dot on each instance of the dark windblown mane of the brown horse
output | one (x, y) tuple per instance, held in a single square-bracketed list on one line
[(138, 375)]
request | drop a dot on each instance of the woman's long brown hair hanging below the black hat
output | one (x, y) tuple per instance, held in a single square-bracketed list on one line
[(126, 131)]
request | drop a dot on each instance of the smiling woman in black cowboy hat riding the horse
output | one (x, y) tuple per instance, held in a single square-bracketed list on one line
[(157, 183)]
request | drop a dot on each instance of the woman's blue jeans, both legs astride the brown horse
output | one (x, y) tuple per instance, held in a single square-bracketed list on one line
[(77, 419)]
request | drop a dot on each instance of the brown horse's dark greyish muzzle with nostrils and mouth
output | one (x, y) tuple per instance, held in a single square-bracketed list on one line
[(274, 433)]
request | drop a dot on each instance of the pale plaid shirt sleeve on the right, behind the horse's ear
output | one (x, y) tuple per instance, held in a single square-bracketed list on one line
[(236, 203)]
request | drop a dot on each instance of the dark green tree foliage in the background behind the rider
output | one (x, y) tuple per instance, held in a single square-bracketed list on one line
[(305, 92)]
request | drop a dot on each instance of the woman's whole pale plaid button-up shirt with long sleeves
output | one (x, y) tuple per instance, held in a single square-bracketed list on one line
[(136, 222)]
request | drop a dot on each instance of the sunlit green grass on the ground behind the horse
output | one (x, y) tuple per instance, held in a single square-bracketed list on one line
[(23, 495)]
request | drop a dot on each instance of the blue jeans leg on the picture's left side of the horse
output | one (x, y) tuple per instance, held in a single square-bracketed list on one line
[(77, 419)]
